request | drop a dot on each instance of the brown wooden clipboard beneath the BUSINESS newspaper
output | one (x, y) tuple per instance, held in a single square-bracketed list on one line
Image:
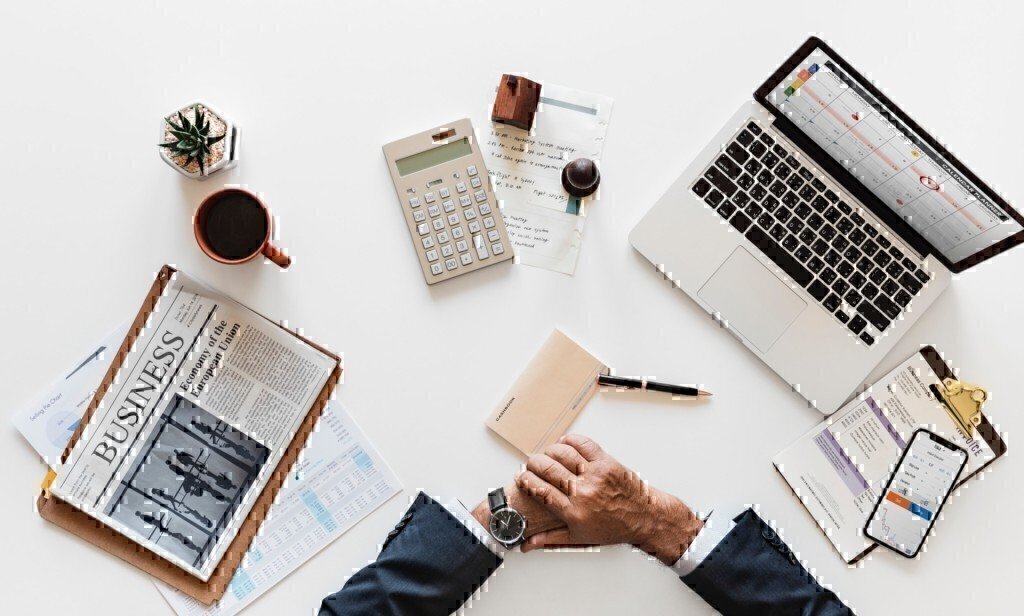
[(87, 527)]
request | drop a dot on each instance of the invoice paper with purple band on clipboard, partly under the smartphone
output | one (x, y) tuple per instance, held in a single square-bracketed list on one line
[(839, 469)]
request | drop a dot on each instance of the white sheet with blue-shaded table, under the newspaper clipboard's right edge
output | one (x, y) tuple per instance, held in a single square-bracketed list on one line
[(339, 481)]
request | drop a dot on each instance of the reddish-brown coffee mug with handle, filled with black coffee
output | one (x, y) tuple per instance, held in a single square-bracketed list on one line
[(241, 219)]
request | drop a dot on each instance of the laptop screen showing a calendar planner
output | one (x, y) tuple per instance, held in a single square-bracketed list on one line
[(920, 184)]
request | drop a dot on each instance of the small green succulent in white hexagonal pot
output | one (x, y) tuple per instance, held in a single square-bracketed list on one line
[(199, 142)]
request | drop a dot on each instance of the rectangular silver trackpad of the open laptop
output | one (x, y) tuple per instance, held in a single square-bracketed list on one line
[(752, 300)]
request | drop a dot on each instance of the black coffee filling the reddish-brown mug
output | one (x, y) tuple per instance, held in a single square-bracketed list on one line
[(234, 226)]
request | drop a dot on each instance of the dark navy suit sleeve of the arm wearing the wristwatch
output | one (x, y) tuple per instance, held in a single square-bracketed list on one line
[(431, 564)]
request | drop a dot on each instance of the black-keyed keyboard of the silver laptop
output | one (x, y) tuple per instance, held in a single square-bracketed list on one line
[(815, 237)]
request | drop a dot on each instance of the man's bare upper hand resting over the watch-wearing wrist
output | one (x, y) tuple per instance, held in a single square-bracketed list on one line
[(602, 503)]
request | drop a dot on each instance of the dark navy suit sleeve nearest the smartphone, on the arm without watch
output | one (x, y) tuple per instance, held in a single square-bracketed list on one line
[(752, 571)]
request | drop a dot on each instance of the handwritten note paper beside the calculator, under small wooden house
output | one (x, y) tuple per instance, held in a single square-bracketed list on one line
[(546, 226)]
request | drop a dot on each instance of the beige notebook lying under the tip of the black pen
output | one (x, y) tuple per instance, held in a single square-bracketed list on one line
[(548, 395)]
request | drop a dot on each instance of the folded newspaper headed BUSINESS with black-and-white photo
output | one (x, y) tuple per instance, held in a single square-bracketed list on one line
[(186, 439)]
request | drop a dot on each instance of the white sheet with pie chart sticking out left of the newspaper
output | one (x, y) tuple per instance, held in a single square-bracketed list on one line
[(50, 422)]
